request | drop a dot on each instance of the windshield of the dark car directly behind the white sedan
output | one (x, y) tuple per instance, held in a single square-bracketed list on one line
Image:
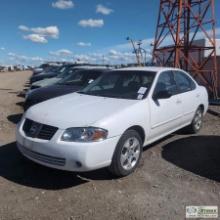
[(80, 77)]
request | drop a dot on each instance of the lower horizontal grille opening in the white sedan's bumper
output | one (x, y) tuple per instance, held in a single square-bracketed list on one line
[(57, 161)]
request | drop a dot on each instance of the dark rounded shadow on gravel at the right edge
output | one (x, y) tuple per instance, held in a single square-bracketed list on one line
[(197, 154)]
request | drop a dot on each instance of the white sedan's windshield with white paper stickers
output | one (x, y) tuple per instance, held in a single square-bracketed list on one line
[(121, 84)]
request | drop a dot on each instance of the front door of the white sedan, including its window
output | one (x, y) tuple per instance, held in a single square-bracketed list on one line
[(165, 114)]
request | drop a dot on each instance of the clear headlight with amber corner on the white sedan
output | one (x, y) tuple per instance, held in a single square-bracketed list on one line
[(89, 134)]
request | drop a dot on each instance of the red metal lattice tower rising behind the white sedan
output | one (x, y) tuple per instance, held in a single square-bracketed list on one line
[(181, 23)]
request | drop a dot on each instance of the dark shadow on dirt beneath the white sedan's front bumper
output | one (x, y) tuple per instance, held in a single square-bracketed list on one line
[(16, 168)]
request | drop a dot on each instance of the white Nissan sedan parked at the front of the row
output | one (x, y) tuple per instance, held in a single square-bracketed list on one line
[(108, 123)]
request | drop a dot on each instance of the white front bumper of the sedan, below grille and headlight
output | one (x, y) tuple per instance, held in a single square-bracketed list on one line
[(61, 155)]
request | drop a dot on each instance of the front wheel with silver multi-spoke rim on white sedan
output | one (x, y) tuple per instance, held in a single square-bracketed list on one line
[(127, 154)]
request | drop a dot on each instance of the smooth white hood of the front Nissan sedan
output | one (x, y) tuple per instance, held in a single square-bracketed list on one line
[(76, 110)]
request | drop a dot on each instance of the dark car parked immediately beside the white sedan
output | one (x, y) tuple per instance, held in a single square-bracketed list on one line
[(75, 81)]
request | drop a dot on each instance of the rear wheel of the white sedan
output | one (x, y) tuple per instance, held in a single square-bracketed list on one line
[(197, 122)]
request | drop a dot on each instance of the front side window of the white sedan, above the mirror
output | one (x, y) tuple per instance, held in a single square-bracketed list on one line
[(167, 83)]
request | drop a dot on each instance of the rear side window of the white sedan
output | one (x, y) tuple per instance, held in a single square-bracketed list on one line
[(184, 82)]
